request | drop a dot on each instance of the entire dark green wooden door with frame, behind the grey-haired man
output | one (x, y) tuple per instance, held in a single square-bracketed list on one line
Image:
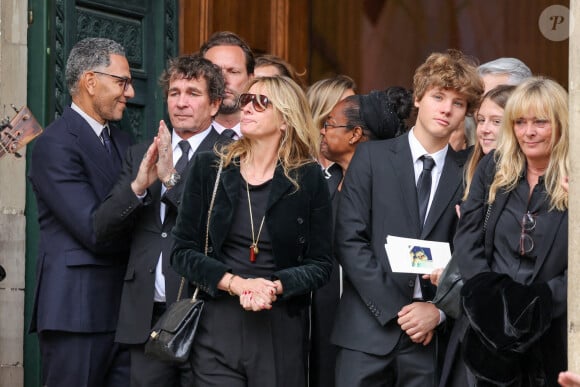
[(148, 30)]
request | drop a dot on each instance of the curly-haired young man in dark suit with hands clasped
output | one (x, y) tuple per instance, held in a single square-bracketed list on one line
[(385, 327)]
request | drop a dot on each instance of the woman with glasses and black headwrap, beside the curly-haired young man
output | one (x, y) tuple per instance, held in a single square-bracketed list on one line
[(357, 118)]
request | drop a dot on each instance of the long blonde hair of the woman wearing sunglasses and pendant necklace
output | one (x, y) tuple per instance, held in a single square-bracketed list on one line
[(299, 143)]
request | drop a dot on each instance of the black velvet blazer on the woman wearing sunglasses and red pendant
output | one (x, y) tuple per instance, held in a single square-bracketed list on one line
[(299, 225)]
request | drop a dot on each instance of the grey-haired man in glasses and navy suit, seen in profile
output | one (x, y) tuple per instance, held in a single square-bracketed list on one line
[(75, 163)]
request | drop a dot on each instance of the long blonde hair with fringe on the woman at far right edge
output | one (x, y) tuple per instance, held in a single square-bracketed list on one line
[(545, 99)]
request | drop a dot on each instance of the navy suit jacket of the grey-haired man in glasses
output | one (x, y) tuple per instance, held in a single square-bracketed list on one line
[(79, 280)]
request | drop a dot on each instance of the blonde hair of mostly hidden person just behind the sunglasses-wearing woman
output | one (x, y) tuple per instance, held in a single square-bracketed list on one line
[(323, 95)]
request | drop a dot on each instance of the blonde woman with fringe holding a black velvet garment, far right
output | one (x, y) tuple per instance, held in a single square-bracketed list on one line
[(515, 274)]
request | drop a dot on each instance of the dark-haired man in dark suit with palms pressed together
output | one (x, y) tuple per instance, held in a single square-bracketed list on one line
[(144, 205)]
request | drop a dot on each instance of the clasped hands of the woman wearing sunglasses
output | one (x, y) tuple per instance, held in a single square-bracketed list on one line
[(255, 294)]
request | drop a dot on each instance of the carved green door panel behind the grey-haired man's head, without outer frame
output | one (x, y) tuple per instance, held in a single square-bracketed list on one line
[(146, 28)]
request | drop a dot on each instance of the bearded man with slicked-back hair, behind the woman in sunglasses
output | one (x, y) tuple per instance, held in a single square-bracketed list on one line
[(233, 55)]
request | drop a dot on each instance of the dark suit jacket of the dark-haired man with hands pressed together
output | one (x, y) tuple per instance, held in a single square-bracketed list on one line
[(123, 213)]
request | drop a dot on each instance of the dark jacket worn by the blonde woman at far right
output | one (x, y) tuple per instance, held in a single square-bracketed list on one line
[(551, 264)]
